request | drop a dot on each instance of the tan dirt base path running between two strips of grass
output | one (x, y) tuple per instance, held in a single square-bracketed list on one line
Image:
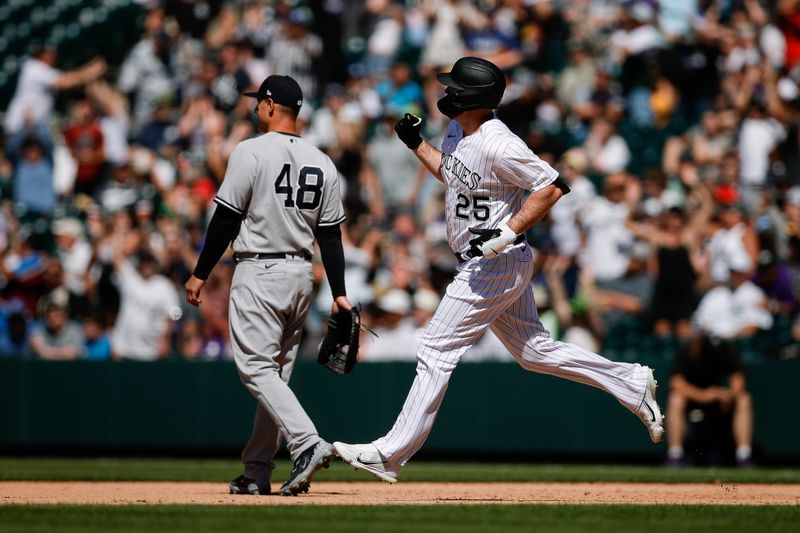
[(376, 493)]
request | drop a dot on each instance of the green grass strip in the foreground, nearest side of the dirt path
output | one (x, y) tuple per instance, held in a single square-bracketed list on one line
[(443, 518)]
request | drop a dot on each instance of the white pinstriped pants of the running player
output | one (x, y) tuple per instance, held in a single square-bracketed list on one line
[(496, 293)]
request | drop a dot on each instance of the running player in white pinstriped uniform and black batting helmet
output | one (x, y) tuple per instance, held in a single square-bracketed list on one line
[(487, 171)]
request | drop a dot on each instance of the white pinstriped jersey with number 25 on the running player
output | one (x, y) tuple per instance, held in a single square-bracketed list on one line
[(487, 174)]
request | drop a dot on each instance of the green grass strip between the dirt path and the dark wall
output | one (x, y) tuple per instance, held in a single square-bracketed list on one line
[(223, 470)]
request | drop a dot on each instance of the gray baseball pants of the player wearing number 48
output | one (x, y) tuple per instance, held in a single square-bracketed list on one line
[(269, 303)]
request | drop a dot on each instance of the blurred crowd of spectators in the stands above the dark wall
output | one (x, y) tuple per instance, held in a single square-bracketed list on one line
[(675, 122)]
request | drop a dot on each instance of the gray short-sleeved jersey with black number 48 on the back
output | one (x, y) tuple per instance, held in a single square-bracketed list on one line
[(284, 187)]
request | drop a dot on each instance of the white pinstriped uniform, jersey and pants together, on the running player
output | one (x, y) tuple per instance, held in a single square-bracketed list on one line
[(487, 174)]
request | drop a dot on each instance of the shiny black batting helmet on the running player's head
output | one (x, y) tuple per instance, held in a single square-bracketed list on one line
[(478, 83)]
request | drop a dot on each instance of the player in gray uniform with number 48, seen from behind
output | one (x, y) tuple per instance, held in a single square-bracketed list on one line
[(278, 195)]
